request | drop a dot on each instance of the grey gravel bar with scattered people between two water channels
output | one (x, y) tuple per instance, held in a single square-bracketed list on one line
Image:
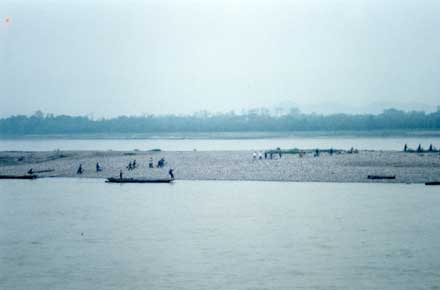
[(229, 165)]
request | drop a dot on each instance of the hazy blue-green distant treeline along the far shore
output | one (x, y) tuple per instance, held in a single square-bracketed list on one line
[(254, 120)]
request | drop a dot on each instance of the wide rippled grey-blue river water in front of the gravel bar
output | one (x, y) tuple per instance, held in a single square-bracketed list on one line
[(85, 234)]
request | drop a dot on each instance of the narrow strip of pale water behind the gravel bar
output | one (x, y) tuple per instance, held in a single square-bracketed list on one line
[(303, 142)]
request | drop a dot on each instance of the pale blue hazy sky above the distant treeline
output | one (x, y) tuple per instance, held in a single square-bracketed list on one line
[(132, 57)]
